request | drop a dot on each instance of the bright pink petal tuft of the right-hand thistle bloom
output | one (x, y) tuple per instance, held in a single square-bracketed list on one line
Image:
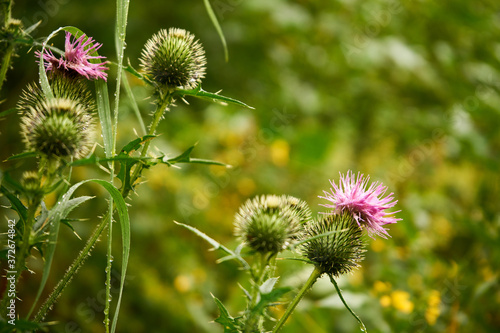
[(368, 206)]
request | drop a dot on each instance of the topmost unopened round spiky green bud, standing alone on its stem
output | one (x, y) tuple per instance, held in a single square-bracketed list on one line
[(174, 59)]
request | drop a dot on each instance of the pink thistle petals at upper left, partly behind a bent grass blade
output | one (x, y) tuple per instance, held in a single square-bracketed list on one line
[(76, 58)]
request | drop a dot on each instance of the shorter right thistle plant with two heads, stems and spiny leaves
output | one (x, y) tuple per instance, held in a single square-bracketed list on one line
[(333, 243)]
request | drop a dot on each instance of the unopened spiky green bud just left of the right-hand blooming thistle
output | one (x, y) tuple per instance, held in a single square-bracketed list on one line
[(269, 223)]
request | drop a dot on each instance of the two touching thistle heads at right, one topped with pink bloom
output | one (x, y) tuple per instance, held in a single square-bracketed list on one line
[(333, 241)]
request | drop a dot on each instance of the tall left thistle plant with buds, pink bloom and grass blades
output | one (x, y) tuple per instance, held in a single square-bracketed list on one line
[(59, 117)]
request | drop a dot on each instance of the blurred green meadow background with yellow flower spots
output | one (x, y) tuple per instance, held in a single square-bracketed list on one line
[(405, 91)]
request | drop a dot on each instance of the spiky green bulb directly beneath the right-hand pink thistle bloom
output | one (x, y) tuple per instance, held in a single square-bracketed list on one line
[(336, 253)]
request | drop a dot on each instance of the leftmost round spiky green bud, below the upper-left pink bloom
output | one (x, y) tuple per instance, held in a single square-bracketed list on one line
[(58, 128)]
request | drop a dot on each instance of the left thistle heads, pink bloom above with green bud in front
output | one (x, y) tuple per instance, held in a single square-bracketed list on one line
[(63, 126)]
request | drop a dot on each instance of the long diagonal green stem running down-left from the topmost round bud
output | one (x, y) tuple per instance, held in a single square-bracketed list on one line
[(82, 256)]
